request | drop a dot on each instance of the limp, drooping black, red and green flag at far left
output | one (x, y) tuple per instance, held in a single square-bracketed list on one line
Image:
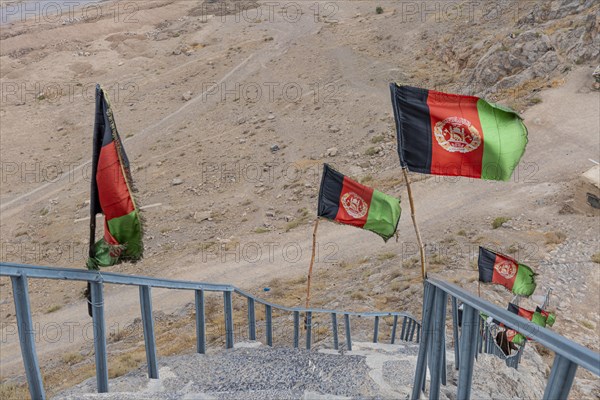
[(112, 193)]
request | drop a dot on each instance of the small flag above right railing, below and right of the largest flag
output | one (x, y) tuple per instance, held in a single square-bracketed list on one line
[(505, 271)]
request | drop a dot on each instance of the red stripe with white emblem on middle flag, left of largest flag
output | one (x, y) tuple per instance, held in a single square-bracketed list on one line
[(355, 200)]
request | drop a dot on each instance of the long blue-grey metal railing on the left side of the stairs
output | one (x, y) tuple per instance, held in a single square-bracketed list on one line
[(19, 274)]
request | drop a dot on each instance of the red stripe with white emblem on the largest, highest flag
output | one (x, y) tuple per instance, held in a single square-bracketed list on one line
[(457, 136)]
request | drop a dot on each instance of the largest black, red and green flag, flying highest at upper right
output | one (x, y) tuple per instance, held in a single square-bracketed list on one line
[(450, 134)]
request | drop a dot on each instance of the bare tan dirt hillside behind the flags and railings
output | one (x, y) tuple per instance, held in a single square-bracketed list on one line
[(214, 143)]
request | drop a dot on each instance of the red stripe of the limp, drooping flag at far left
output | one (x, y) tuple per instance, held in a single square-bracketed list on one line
[(113, 192)]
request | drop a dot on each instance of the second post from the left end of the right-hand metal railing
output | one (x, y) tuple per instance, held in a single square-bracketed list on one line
[(438, 345)]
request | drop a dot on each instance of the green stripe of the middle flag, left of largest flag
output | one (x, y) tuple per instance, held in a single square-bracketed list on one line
[(384, 213)]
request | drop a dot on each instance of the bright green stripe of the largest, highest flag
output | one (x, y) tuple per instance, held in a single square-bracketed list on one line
[(504, 140)]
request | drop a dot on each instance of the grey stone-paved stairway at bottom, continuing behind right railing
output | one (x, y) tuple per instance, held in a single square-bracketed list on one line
[(253, 371)]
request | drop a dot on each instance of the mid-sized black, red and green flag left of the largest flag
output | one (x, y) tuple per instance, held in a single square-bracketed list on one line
[(348, 202)]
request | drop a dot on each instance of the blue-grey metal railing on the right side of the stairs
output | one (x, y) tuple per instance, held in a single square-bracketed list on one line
[(432, 350)]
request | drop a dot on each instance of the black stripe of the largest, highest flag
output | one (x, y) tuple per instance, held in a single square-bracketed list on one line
[(413, 127)]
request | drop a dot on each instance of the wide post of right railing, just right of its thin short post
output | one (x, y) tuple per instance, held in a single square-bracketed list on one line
[(468, 350)]
